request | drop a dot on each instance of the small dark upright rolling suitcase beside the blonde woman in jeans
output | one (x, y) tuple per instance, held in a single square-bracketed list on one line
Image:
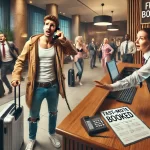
[(71, 76)]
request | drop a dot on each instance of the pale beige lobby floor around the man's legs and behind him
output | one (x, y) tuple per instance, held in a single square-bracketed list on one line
[(74, 95)]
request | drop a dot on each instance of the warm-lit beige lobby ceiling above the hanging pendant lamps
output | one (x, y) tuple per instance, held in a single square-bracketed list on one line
[(72, 7)]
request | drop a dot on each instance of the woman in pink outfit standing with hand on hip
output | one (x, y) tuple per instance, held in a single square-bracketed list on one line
[(107, 50)]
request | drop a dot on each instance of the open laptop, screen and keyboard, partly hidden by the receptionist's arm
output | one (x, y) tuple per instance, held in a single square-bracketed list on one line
[(126, 95)]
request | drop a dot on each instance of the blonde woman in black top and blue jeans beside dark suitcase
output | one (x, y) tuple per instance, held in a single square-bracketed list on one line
[(79, 62)]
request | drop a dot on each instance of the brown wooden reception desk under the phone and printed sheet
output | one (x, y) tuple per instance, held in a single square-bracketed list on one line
[(76, 138)]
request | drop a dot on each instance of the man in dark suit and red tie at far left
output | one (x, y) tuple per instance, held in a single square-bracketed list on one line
[(8, 55)]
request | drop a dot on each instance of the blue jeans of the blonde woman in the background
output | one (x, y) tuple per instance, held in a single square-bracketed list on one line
[(79, 64)]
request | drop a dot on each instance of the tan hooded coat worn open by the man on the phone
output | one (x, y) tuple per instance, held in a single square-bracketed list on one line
[(30, 52)]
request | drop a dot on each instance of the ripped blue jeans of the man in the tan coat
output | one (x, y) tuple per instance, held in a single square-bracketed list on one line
[(51, 94)]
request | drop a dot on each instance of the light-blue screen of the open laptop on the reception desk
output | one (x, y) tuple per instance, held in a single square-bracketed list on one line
[(113, 70)]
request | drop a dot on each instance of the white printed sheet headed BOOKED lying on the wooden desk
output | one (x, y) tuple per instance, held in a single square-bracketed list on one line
[(128, 127)]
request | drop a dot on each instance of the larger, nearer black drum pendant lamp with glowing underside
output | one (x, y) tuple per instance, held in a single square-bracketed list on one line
[(102, 20)]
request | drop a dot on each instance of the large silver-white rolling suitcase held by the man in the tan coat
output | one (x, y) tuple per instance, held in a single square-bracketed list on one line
[(11, 126)]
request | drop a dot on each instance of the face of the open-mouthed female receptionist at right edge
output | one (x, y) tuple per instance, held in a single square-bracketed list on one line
[(142, 42)]
